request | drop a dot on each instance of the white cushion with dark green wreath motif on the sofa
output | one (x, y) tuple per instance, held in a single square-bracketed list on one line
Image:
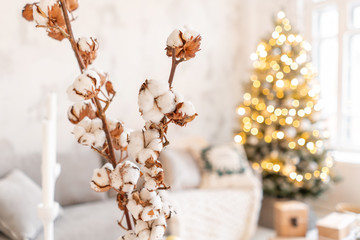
[(225, 166)]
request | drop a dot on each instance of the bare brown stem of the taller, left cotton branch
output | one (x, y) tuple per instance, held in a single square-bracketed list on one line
[(101, 113)]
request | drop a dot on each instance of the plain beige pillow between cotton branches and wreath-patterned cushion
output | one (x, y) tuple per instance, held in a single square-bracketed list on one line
[(180, 168)]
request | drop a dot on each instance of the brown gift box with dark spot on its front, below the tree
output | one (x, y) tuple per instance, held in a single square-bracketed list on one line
[(291, 218)]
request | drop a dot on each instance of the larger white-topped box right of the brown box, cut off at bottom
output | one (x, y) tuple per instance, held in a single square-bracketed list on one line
[(336, 226)]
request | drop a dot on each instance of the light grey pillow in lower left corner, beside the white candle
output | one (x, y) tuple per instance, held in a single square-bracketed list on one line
[(18, 206)]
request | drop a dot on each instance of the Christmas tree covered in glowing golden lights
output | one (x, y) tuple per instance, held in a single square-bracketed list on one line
[(279, 117)]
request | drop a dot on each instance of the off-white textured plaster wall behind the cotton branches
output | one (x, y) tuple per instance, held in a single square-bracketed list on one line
[(132, 37)]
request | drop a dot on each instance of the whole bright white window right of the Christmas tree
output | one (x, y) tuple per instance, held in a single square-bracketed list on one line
[(336, 55)]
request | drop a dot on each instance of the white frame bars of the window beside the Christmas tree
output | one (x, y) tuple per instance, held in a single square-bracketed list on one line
[(345, 31)]
